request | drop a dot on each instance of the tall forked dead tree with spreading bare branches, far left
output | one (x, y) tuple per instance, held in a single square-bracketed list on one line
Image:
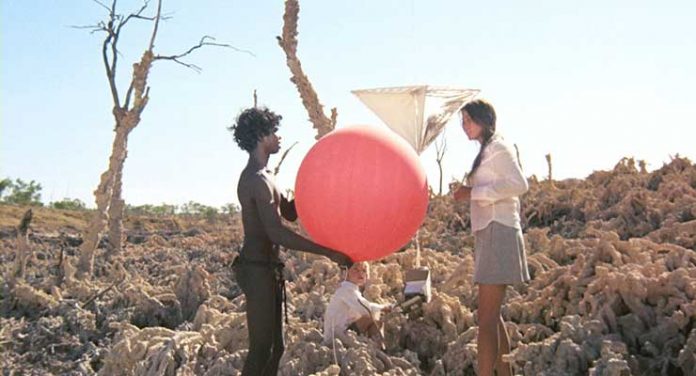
[(127, 114)]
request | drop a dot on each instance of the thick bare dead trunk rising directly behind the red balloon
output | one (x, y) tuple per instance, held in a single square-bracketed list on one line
[(310, 100)]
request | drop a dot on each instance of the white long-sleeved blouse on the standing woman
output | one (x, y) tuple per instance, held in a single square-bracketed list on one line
[(496, 185)]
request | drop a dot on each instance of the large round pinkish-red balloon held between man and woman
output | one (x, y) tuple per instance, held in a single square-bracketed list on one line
[(361, 190)]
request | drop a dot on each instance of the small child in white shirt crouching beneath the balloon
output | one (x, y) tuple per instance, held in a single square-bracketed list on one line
[(348, 309)]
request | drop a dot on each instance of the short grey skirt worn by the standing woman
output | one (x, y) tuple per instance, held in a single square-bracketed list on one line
[(499, 256)]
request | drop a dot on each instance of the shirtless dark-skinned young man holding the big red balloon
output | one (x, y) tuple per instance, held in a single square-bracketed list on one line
[(258, 269)]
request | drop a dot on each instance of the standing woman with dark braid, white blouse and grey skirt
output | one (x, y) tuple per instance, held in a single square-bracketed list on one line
[(494, 184)]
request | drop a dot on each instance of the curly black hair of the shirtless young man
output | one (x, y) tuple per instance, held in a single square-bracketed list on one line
[(252, 125)]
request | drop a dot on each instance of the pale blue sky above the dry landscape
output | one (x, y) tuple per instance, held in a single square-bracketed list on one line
[(589, 82)]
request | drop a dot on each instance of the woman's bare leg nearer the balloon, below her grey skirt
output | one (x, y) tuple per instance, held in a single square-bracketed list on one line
[(490, 299)]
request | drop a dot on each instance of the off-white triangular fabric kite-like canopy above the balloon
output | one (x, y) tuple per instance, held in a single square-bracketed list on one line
[(416, 113)]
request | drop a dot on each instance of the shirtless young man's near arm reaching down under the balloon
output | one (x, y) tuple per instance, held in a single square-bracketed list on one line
[(278, 232)]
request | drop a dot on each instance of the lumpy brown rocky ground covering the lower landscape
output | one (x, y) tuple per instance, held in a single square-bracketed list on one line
[(612, 256)]
